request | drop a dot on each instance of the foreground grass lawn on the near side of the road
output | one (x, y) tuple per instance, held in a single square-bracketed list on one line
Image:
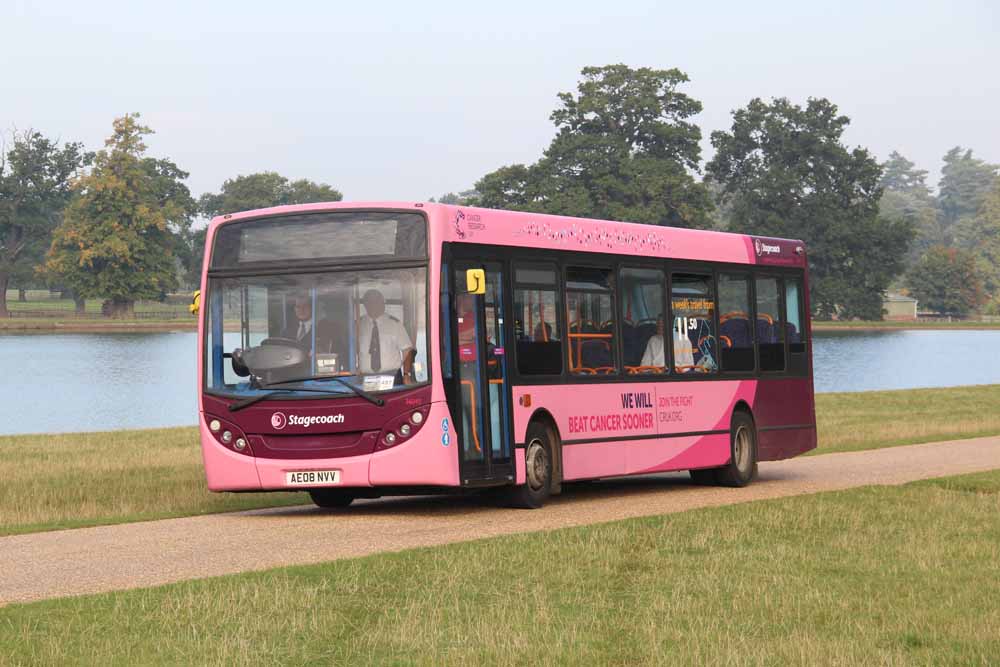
[(878, 575)]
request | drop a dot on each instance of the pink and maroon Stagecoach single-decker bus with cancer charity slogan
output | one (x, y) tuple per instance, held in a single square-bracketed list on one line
[(354, 350)]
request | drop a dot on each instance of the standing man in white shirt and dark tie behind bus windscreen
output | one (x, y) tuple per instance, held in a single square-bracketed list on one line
[(385, 347)]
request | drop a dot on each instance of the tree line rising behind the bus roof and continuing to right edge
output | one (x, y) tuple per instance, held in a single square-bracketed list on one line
[(625, 148)]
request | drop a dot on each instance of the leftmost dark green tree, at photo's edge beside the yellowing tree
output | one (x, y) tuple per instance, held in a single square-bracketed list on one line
[(35, 177)]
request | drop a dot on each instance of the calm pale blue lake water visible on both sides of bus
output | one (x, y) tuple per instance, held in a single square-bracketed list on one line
[(91, 382)]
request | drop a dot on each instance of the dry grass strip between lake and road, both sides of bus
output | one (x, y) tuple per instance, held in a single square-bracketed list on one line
[(74, 480)]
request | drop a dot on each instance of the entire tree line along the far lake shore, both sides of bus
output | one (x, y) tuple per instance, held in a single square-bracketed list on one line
[(118, 224)]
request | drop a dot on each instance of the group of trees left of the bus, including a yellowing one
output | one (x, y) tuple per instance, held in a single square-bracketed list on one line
[(115, 224)]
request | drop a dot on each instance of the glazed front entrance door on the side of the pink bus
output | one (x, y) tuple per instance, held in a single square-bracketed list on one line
[(483, 392)]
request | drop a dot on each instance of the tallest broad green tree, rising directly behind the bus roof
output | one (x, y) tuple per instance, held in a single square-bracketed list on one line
[(625, 149)]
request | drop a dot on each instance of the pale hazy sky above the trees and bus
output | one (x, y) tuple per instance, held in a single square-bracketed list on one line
[(389, 100)]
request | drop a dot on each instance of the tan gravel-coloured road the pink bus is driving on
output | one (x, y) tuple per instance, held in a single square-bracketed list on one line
[(90, 560)]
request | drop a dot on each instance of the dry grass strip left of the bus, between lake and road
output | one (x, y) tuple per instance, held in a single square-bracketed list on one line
[(85, 479)]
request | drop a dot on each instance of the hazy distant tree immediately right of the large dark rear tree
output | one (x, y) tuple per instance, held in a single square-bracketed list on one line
[(906, 197)]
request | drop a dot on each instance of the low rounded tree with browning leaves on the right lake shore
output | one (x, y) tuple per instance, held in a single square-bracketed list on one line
[(945, 280)]
